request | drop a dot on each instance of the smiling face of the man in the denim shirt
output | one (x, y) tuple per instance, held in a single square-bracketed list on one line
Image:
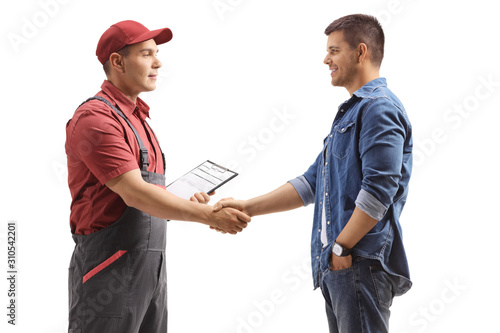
[(342, 61)]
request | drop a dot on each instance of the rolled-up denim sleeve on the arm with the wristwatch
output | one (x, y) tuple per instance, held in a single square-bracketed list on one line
[(382, 138)]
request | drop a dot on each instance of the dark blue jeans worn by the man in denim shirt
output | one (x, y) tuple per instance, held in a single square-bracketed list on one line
[(358, 298)]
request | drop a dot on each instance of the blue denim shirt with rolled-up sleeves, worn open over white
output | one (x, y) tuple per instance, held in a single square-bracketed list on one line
[(366, 162)]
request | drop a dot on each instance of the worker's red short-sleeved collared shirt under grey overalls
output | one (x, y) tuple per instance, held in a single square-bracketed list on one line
[(101, 146)]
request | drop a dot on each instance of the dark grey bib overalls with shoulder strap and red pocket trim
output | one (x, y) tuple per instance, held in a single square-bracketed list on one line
[(117, 275)]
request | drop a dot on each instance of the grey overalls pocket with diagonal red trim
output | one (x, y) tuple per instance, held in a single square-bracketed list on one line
[(105, 286)]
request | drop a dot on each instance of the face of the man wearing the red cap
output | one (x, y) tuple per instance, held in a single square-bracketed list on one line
[(139, 69)]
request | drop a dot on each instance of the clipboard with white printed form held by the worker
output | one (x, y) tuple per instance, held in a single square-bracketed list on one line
[(206, 177)]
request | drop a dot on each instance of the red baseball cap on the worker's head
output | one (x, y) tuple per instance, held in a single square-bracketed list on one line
[(126, 33)]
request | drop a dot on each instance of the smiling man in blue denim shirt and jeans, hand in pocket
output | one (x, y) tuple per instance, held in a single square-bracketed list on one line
[(359, 185)]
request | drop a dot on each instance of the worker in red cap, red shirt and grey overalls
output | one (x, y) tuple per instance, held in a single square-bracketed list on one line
[(117, 275)]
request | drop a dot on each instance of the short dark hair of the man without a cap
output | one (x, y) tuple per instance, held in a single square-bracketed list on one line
[(361, 28)]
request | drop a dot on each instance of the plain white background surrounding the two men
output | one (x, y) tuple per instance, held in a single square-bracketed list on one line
[(229, 70)]
